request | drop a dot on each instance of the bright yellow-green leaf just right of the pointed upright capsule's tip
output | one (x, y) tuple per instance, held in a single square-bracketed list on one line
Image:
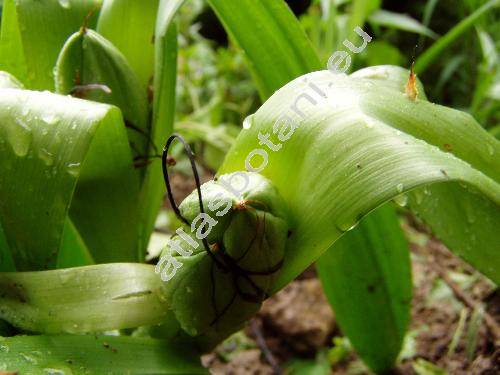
[(130, 26)]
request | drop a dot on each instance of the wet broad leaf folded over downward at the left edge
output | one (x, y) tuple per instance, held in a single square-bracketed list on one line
[(59, 151)]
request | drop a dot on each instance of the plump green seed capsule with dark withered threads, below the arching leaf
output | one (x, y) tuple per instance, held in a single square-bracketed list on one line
[(213, 294)]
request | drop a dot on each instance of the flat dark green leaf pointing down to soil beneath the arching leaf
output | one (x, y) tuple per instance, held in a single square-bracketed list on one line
[(371, 305)]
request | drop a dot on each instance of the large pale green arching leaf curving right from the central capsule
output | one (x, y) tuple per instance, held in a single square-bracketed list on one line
[(360, 144)]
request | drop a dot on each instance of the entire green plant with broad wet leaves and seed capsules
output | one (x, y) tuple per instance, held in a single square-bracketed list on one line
[(86, 103)]
